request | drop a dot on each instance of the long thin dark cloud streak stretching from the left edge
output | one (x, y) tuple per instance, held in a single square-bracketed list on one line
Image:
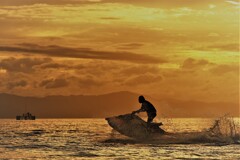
[(59, 51)]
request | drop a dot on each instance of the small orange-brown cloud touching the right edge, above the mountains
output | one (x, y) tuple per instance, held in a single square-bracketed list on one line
[(222, 69)]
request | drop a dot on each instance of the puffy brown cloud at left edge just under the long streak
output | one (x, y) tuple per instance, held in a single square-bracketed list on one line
[(25, 65)]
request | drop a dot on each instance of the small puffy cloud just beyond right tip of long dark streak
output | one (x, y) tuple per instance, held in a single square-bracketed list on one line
[(191, 63)]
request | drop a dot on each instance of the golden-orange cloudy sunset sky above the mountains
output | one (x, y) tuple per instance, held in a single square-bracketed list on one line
[(182, 49)]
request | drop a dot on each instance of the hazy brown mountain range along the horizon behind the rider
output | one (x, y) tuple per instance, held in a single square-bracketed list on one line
[(91, 106)]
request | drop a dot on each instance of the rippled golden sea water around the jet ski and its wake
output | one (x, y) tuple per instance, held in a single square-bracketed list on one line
[(94, 139)]
